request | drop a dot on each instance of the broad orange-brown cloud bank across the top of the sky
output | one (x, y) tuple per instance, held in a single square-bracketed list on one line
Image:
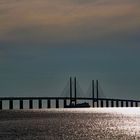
[(66, 20)]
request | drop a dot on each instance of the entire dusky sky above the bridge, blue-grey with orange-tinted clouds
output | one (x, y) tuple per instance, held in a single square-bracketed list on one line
[(44, 42)]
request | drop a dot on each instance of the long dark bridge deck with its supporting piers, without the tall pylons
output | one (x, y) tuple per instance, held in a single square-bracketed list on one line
[(100, 102)]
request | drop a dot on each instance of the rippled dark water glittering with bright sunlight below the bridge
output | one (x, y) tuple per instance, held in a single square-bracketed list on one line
[(71, 124)]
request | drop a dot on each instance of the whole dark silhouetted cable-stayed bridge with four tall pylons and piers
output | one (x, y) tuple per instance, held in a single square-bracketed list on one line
[(95, 100)]
